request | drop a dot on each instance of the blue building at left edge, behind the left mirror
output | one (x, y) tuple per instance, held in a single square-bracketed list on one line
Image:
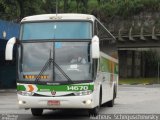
[(7, 68)]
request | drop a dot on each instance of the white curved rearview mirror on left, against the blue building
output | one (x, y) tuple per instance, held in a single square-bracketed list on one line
[(9, 48)]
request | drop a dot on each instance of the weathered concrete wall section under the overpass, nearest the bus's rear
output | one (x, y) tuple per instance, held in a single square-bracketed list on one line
[(129, 63)]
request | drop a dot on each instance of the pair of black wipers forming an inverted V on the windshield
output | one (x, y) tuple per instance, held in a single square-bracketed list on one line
[(47, 64)]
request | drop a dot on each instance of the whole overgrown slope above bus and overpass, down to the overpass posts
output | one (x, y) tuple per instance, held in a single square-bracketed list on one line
[(115, 14)]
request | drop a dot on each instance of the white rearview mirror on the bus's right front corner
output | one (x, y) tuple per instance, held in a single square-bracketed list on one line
[(95, 47)]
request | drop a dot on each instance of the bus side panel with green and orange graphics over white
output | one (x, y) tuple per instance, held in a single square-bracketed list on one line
[(108, 70)]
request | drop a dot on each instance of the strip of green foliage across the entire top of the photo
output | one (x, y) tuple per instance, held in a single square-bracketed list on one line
[(17, 9)]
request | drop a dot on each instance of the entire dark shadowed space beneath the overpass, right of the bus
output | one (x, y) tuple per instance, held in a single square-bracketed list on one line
[(139, 63)]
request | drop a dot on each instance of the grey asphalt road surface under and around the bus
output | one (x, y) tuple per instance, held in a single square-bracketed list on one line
[(131, 99)]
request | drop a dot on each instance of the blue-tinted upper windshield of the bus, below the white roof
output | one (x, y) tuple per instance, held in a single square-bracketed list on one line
[(56, 30)]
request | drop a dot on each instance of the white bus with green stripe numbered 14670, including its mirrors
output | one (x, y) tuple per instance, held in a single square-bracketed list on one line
[(64, 61)]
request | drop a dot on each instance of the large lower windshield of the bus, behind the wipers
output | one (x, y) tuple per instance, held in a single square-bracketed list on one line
[(72, 57)]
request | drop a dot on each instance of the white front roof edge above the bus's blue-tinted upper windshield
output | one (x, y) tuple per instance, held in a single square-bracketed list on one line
[(52, 17)]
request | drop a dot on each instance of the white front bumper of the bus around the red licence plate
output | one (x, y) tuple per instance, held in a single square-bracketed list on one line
[(65, 102)]
